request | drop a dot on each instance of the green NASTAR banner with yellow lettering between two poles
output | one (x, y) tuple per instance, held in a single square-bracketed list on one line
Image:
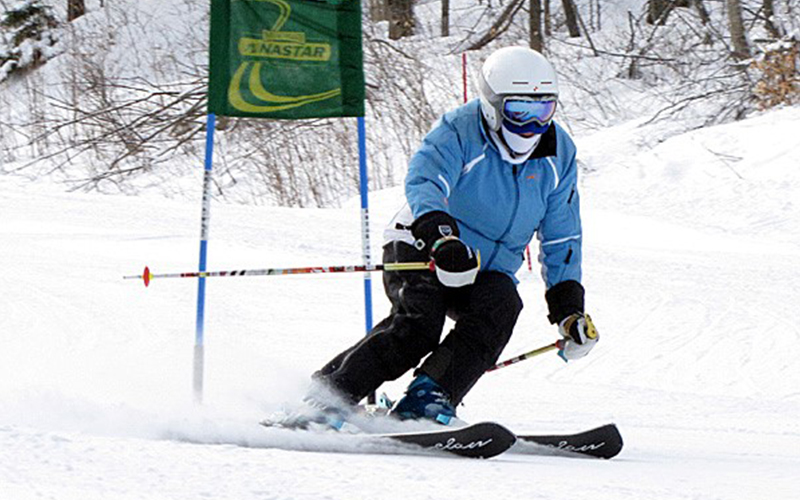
[(286, 59)]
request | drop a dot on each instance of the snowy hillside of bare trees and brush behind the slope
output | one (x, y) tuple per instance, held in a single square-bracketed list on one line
[(110, 95)]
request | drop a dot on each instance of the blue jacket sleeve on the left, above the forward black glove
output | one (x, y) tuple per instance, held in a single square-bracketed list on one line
[(434, 169)]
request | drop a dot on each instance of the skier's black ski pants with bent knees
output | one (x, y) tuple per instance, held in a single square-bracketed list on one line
[(485, 314)]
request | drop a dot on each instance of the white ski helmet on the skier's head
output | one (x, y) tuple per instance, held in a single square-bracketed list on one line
[(513, 71)]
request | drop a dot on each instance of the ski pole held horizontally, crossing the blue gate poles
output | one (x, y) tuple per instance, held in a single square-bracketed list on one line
[(392, 266)]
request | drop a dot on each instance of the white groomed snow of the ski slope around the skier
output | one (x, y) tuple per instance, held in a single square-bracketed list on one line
[(691, 266)]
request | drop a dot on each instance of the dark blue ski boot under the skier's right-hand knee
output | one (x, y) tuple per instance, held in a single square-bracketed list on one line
[(425, 399)]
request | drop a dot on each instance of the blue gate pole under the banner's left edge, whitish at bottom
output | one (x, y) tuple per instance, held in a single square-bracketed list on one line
[(197, 379)]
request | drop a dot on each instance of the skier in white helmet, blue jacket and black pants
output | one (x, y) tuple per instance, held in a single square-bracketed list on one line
[(490, 175)]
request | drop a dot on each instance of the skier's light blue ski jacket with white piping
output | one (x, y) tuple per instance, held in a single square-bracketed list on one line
[(500, 206)]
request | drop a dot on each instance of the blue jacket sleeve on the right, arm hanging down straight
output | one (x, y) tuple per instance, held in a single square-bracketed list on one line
[(560, 233)]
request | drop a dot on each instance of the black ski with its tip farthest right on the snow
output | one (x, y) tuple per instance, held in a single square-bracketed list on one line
[(601, 442)]
